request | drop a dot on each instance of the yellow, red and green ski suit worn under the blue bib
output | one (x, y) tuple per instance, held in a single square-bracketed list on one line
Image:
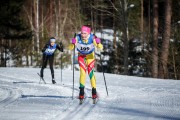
[(86, 63)]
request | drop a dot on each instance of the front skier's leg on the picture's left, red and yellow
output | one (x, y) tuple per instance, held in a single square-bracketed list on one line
[(82, 64)]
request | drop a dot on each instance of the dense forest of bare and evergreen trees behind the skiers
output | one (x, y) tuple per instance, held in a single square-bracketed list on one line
[(140, 37)]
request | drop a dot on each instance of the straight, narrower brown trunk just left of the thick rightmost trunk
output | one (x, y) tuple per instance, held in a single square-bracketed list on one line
[(155, 40)]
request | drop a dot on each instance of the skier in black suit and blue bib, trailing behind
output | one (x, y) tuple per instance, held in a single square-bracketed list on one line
[(48, 55)]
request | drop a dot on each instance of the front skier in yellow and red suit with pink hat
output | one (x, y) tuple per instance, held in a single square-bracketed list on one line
[(85, 43)]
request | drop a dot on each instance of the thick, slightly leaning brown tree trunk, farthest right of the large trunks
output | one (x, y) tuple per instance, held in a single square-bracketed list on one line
[(163, 70)]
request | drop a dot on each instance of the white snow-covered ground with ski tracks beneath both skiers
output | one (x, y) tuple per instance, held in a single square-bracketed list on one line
[(130, 98)]
